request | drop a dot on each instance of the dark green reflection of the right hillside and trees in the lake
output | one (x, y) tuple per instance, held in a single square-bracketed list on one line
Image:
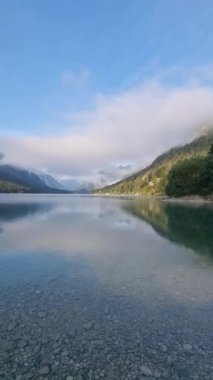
[(190, 225)]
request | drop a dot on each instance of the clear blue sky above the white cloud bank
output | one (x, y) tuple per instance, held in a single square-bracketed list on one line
[(60, 59)]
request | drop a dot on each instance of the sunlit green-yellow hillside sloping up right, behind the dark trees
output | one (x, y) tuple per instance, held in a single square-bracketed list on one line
[(153, 179)]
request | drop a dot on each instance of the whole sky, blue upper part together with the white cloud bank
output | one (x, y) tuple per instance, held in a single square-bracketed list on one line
[(90, 87)]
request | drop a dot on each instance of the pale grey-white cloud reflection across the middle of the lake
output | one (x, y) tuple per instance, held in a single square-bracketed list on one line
[(123, 255)]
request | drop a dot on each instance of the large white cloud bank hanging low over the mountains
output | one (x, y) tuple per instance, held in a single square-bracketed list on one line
[(134, 126)]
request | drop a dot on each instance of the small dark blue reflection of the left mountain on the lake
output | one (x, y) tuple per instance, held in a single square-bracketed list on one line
[(13, 211)]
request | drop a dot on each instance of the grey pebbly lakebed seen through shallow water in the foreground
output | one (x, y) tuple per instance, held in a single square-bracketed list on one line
[(61, 328)]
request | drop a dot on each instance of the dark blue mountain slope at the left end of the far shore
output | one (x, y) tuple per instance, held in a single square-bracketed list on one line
[(14, 179)]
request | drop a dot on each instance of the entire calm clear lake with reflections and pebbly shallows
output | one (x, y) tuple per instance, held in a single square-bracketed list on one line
[(105, 288)]
